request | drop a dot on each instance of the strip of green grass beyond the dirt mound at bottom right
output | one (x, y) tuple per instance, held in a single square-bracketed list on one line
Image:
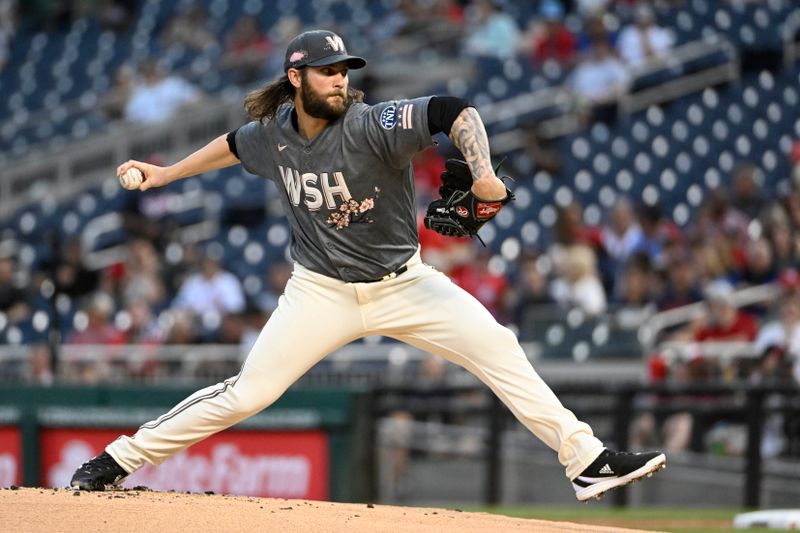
[(680, 520)]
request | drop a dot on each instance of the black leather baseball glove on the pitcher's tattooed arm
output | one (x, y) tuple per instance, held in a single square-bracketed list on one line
[(459, 213)]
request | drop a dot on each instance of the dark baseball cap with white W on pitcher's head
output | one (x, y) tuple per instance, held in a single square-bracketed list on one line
[(317, 48)]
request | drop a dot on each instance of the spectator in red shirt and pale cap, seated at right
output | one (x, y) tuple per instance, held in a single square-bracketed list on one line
[(724, 321)]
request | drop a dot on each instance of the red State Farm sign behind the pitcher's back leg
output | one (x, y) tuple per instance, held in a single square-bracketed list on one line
[(288, 464)]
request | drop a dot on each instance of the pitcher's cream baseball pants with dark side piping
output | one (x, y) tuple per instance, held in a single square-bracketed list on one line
[(318, 314)]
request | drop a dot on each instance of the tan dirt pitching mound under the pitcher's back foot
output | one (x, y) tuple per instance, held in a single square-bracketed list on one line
[(36, 510)]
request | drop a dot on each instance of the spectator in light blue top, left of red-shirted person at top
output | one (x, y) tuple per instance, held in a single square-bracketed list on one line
[(493, 33)]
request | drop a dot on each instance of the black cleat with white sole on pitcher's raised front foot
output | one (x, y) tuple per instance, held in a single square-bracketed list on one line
[(615, 469)]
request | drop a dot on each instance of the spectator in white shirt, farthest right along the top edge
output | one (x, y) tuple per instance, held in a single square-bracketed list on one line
[(644, 40)]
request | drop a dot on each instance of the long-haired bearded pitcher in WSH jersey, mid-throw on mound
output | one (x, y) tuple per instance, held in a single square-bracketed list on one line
[(343, 169)]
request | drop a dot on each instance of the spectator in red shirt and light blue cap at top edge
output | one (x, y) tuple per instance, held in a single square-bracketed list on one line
[(550, 38)]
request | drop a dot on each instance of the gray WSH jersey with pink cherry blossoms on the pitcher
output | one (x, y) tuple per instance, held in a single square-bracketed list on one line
[(349, 192)]
